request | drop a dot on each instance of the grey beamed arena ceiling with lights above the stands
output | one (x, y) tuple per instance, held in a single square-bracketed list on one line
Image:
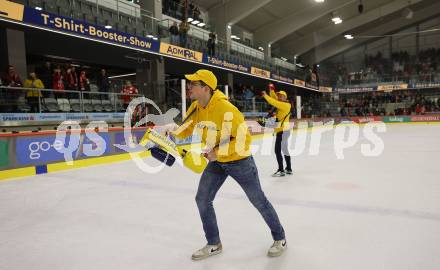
[(298, 27)]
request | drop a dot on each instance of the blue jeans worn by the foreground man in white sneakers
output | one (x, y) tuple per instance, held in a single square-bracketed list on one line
[(245, 172)]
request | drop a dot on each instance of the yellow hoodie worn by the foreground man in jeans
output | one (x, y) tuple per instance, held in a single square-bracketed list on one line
[(221, 126)]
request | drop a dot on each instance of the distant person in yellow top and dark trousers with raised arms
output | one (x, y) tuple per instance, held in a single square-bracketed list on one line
[(282, 132)]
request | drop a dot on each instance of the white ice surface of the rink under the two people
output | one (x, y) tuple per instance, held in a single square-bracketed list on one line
[(362, 213)]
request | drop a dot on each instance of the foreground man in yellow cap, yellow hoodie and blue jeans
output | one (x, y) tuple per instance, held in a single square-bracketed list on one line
[(225, 133)]
